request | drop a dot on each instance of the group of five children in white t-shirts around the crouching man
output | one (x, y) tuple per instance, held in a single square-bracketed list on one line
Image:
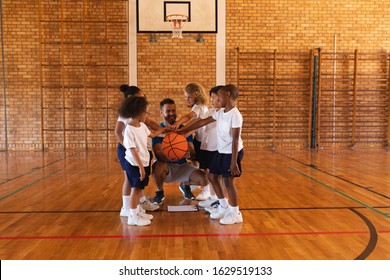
[(217, 141)]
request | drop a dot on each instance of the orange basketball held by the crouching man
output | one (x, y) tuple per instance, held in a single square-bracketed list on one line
[(174, 146)]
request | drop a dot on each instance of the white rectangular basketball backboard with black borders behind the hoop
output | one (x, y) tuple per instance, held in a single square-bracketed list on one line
[(151, 15)]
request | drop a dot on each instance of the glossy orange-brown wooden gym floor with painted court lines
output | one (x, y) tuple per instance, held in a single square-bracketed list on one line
[(296, 204)]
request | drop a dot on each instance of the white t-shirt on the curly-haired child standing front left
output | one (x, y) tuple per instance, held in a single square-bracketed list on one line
[(137, 137)]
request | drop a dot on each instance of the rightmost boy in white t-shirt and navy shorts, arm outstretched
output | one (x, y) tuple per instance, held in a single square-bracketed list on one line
[(227, 162)]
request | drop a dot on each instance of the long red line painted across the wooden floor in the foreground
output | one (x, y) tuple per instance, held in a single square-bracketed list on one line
[(188, 235)]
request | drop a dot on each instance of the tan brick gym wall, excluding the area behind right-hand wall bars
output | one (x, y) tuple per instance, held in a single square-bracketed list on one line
[(64, 60)]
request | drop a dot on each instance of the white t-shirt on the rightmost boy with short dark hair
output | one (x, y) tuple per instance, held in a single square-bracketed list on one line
[(225, 123)]
